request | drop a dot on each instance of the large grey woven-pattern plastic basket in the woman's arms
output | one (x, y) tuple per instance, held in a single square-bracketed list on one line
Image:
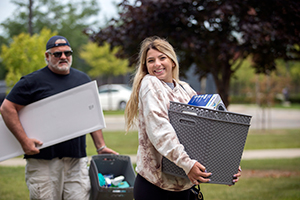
[(214, 138)]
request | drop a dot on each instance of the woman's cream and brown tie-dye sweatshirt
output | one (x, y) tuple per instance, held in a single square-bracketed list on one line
[(157, 138)]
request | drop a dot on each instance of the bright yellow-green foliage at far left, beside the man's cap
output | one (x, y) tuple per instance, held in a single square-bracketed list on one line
[(24, 55)]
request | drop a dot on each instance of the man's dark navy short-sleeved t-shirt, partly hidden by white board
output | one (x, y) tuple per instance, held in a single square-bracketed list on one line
[(44, 83)]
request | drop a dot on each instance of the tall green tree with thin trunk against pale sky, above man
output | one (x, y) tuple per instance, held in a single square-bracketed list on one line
[(64, 17)]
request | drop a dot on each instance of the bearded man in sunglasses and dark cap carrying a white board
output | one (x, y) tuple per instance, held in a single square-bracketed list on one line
[(59, 171)]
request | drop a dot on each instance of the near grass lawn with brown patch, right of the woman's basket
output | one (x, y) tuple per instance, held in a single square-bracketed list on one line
[(269, 179)]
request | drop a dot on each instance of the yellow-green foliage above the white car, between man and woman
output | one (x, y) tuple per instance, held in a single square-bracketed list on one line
[(103, 61)]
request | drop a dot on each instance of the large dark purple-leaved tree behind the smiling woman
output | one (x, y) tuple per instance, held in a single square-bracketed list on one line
[(216, 35)]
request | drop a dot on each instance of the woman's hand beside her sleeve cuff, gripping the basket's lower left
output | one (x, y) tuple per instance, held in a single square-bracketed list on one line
[(198, 174)]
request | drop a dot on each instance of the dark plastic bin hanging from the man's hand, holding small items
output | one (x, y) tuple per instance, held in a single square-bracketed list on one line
[(111, 164)]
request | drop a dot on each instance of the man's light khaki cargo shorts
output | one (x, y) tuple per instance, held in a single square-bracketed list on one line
[(65, 178)]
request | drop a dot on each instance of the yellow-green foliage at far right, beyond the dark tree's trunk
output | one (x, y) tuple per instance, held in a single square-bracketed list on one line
[(249, 87)]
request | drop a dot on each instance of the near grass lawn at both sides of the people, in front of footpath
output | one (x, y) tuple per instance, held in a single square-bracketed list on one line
[(256, 182)]
